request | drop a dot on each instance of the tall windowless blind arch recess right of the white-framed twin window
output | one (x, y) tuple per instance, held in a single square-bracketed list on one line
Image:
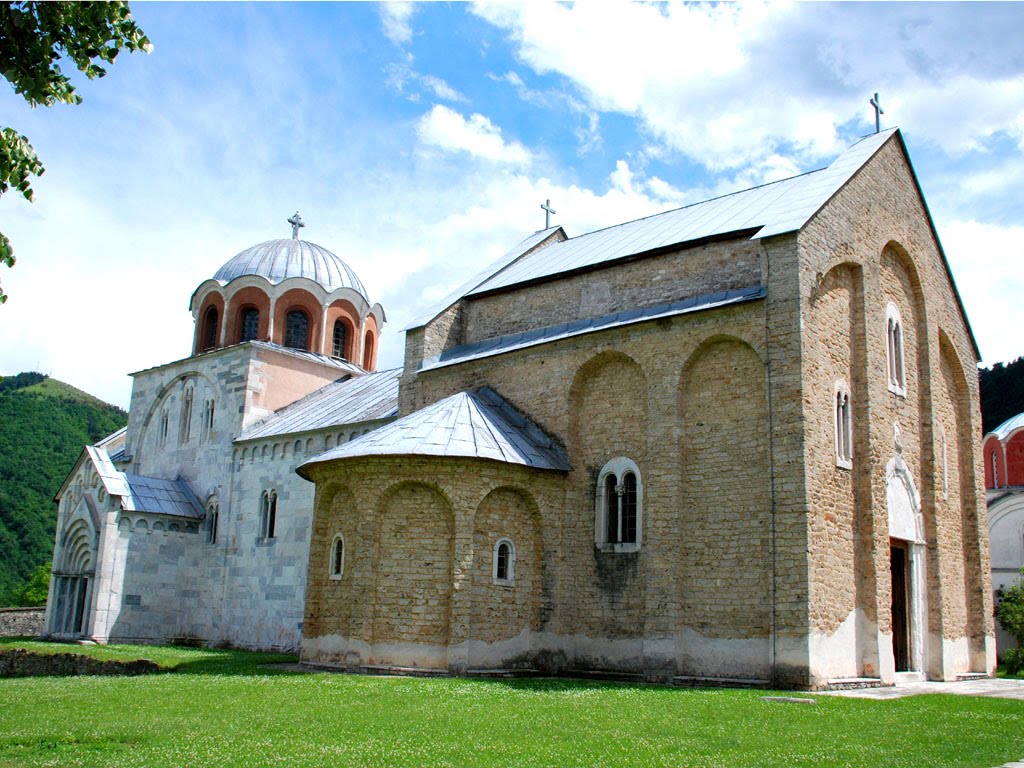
[(726, 476)]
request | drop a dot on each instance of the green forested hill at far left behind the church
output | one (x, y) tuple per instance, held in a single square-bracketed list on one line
[(45, 424)]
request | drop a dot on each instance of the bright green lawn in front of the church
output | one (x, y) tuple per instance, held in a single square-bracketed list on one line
[(227, 709)]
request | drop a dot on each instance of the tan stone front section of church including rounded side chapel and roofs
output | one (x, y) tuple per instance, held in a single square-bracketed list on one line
[(738, 441)]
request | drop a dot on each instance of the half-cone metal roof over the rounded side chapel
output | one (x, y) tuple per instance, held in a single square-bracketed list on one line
[(476, 425)]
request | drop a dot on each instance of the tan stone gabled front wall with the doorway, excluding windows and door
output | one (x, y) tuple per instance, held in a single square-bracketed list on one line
[(873, 243)]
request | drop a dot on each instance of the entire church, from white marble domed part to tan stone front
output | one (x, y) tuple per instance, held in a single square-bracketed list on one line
[(735, 442)]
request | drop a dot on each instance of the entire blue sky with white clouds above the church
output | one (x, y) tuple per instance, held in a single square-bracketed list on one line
[(418, 142)]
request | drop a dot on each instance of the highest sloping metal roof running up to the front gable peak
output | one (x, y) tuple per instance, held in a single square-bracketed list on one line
[(772, 209)]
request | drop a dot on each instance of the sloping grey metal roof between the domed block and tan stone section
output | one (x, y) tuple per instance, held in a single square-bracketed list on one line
[(351, 401)]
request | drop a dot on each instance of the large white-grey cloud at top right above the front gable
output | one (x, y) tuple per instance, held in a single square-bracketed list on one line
[(728, 84)]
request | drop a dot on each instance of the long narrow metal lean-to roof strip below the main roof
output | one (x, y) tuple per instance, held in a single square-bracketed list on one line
[(511, 343)]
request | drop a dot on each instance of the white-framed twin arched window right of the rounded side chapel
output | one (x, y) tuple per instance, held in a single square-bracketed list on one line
[(619, 507)]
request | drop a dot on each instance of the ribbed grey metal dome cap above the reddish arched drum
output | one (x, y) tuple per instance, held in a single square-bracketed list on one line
[(279, 260)]
